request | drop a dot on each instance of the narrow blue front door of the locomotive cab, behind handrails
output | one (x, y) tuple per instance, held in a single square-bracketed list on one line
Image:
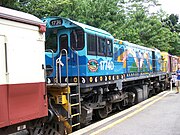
[(64, 41)]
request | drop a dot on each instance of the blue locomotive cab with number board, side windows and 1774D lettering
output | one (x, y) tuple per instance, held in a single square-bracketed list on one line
[(77, 50)]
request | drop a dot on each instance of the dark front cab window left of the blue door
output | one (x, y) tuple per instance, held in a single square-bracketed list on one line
[(51, 42)]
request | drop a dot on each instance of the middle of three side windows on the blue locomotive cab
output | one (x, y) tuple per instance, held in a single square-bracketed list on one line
[(101, 46)]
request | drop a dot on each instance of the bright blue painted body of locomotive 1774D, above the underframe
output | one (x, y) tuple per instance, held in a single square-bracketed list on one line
[(101, 57)]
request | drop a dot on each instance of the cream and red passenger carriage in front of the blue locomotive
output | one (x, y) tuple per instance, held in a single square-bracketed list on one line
[(23, 99)]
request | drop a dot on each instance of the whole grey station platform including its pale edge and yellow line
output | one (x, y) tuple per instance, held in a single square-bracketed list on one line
[(158, 115)]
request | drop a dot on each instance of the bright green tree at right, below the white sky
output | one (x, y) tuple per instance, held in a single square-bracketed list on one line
[(146, 29)]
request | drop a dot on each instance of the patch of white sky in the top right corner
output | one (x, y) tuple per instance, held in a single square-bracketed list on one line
[(170, 6)]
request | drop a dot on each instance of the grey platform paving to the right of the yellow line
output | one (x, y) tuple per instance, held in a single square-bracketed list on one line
[(161, 118)]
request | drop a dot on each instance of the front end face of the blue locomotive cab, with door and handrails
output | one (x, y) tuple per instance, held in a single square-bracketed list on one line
[(63, 40)]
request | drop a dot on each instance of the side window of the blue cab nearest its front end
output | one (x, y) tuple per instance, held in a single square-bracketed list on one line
[(91, 44)]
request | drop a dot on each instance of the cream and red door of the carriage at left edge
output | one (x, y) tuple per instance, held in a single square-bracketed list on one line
[(3, 83)]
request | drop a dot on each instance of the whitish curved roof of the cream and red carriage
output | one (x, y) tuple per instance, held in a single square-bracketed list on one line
[(19, 16)]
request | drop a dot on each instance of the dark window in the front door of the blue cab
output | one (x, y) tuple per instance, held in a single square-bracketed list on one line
[(63, 41)]
